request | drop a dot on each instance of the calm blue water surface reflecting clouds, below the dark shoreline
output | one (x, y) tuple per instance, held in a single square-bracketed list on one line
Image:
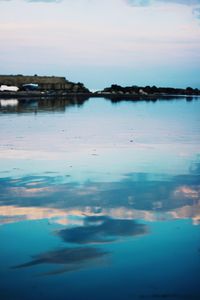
[(99, 200)]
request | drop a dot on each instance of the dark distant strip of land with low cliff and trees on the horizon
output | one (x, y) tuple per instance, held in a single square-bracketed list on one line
[(21, 86)]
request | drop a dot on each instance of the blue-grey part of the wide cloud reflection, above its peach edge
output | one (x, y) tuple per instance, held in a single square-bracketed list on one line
[(34, 191)]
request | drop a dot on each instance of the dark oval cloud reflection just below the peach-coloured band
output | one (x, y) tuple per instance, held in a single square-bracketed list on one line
[(101, 230)]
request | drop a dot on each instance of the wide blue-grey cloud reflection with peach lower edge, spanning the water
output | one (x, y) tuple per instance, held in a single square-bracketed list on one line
[(138, 195)]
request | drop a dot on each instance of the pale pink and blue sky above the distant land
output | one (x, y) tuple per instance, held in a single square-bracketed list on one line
[(101, 42)]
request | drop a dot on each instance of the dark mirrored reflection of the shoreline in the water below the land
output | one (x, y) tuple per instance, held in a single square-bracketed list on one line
[(31, 104)]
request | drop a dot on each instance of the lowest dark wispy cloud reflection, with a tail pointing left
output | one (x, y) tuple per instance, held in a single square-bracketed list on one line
[(72, 258)]
